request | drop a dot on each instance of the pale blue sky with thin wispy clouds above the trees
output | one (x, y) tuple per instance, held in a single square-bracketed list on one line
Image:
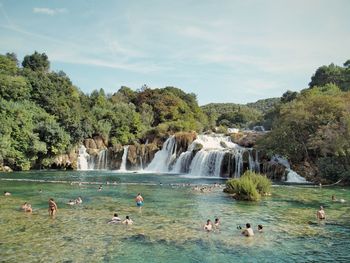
[(223, 51)]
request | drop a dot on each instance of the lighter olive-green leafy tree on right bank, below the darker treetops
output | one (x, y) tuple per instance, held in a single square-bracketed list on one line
[(315, 126)]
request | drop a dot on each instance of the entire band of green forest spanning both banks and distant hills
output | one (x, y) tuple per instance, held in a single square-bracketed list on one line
[(44, 115)]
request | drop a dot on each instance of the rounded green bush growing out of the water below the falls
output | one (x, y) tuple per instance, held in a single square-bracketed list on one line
[(249, 187)]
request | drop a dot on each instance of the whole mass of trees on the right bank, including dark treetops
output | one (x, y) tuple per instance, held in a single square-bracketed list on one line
[(312, 128)]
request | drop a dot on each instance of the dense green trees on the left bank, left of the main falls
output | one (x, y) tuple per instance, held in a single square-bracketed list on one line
[(43, 114)]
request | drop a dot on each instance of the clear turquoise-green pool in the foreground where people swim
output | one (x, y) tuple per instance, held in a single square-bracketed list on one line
[(169, 228)]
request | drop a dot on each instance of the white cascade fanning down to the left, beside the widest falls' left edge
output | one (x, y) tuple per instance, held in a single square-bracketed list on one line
[(163, 158)]
